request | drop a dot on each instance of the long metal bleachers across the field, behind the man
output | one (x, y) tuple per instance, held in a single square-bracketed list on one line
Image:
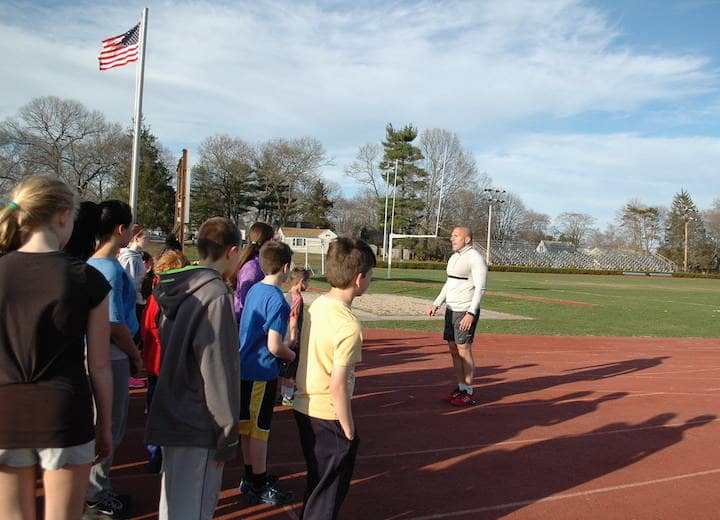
[(524, 254)]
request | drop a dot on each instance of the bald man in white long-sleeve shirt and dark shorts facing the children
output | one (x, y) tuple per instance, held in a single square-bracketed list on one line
[(462, 293)]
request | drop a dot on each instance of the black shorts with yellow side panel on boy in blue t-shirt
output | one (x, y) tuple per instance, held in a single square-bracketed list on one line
[(257, 400)]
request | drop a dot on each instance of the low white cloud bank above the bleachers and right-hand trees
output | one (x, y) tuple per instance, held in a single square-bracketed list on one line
[(597, 174)]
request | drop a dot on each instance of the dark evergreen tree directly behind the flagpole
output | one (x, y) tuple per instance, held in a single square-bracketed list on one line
[(156, 195)]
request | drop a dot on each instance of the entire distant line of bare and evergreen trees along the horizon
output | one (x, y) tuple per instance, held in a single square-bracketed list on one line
[(433, 178)]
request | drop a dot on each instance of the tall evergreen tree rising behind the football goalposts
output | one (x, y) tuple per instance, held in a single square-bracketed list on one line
[(411, 178)]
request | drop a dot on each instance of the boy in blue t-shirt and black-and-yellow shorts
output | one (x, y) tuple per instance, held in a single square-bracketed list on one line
[(263, 327)]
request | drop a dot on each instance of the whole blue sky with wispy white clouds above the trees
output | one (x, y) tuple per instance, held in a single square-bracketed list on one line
[(573, 105)]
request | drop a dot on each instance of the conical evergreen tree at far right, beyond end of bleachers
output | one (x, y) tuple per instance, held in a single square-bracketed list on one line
[(700, 250)]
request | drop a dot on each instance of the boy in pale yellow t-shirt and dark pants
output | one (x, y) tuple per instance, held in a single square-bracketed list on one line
[(330, 349)]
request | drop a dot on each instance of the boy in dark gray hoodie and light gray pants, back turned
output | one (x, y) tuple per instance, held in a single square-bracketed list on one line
[(195, 409)]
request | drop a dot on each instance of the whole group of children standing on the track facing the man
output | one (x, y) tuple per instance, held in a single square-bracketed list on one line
[(222, 354)]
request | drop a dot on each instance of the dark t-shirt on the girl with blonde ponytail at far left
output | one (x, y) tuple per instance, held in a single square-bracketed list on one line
[(45, 397)]
